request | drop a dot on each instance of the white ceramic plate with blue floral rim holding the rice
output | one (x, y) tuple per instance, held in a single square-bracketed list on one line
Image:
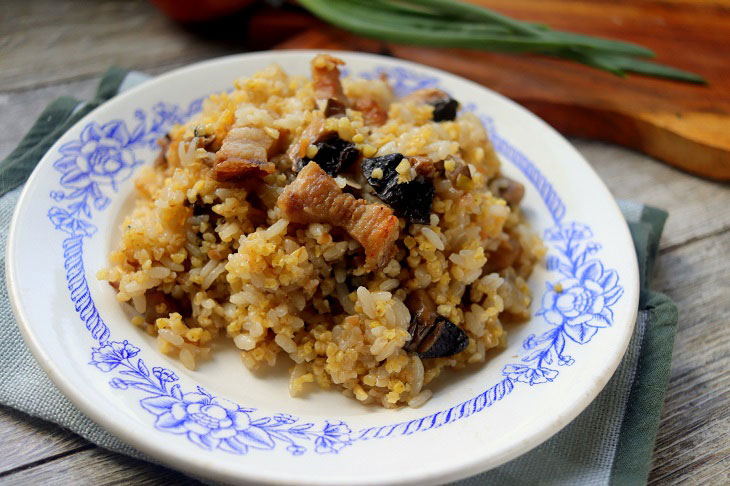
[(67, 220)]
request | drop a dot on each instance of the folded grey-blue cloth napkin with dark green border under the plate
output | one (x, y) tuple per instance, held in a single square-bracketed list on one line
[(611, 442)]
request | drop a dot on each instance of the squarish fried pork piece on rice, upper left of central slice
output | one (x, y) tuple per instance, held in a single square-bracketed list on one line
[(245, 153)]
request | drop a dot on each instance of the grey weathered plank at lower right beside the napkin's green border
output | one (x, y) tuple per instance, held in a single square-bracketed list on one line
[(694, 432)]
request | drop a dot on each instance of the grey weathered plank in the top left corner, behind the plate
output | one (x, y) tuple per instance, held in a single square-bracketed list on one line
[(46, 42)]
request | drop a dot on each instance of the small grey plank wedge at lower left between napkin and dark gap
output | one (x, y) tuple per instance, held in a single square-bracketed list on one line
[(26, 439)]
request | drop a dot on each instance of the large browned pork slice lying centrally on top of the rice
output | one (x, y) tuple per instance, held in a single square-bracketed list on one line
[(314, 197)]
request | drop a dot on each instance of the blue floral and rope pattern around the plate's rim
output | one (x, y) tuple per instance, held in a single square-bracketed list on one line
[(576, 304)]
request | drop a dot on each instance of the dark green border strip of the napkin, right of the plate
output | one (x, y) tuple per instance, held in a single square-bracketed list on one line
[(641, 420)]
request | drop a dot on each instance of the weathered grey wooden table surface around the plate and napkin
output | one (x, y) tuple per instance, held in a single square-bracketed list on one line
[(50, 48)]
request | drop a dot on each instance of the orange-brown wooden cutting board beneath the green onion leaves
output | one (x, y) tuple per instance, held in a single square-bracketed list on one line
[(687, 126)]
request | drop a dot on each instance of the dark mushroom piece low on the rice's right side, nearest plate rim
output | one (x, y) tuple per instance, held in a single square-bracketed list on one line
[(432, 335)]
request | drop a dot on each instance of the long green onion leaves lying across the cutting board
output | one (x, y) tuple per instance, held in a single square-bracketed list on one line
[(451, 23)]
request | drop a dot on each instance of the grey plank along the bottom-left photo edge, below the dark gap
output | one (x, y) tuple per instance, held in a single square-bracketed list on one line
[(98, 467)]
